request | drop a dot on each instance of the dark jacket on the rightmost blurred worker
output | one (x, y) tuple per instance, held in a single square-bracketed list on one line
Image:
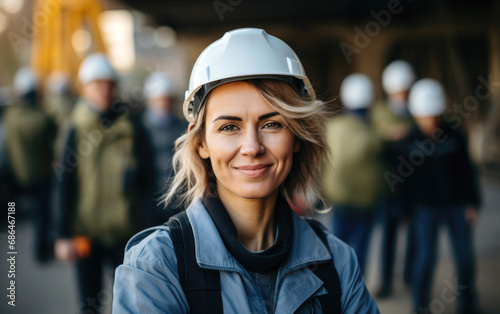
[(443, 172)]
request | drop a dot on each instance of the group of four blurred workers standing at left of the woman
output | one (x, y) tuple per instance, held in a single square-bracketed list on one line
[(90, 169)]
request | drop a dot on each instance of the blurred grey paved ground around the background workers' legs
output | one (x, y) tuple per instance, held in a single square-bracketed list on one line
[(51, 289)]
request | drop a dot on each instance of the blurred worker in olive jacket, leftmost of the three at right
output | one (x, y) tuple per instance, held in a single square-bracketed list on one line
[(353, 181)]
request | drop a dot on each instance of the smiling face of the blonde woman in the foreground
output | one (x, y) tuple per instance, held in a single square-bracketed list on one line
[(249, 146)]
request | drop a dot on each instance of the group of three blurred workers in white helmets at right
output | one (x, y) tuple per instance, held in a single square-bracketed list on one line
[(401, 161)]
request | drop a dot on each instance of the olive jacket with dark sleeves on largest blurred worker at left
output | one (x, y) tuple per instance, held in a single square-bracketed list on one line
[(103, 199)]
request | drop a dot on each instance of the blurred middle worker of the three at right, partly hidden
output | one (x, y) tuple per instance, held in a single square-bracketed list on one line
[(392, 121)]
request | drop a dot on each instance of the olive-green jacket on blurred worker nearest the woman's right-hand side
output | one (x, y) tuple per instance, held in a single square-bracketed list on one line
[(353, 176)]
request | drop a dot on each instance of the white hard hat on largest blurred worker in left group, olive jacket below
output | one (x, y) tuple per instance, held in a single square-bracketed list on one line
[(96, 67)]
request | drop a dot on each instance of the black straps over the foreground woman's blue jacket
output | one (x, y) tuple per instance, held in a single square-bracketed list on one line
[(202, 286)]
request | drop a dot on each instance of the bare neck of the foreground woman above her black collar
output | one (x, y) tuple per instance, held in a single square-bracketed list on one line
[(253, 219)]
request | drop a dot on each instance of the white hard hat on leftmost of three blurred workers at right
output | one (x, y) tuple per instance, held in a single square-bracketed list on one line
[(356, 91)]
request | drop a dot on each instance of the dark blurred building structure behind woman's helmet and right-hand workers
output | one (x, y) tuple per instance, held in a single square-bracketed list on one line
[(454, 41)]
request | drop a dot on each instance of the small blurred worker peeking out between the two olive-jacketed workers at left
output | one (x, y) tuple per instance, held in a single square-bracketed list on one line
[(59, 98)]
